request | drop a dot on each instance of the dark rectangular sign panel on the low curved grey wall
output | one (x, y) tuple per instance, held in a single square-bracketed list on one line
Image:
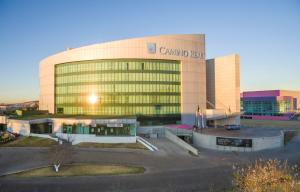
[(233, 142)]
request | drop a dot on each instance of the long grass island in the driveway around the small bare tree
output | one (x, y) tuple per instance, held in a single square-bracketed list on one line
[(81, 170)]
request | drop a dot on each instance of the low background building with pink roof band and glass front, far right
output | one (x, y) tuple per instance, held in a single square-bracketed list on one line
[(270, 104)]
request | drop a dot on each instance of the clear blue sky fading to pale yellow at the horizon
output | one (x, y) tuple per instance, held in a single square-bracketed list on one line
[(265, 33)]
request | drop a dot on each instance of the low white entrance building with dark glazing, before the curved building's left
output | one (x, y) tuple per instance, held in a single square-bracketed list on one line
[(75, 130)]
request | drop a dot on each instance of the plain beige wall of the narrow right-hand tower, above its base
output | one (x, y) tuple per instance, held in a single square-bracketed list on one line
[(223, 83)]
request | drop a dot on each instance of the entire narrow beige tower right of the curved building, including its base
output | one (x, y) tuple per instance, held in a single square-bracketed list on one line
[(223, 90)]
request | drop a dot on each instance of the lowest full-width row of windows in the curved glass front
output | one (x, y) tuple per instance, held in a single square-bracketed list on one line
[(119, 110)]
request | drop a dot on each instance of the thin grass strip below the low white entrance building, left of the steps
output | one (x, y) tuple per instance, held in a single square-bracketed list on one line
[(112, 145)]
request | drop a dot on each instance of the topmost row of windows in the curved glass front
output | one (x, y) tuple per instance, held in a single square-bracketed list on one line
[(103, 65)]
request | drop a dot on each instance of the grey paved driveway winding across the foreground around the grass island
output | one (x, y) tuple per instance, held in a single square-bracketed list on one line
[(169, 169)]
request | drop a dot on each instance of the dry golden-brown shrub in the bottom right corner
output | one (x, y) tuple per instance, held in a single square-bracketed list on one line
[(265, 176)]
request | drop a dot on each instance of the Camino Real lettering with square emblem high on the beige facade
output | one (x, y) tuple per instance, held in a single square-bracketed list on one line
[(163, 50)]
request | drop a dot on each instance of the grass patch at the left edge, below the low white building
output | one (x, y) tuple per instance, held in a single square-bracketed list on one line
[(30, 142)]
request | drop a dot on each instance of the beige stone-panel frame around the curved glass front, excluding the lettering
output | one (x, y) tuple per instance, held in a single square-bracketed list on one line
[(193, 76)]
